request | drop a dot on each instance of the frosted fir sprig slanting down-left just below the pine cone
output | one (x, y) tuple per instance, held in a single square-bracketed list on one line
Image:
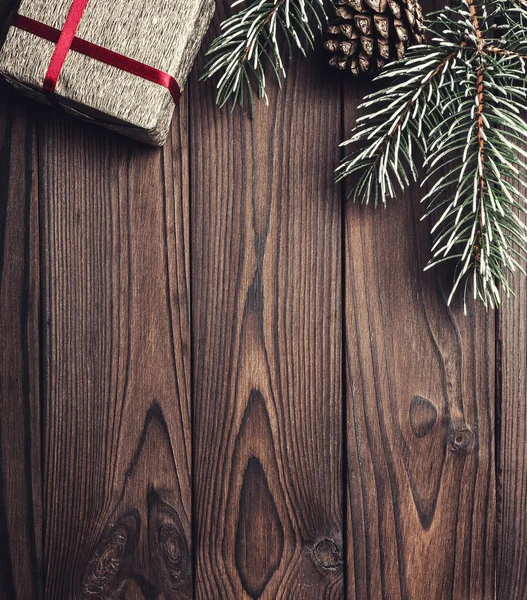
[(385, 159)]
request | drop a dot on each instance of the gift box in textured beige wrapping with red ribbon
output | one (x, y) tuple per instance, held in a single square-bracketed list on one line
[(120, 63)]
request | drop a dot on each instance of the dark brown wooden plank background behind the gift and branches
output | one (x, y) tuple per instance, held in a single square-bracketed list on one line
[(219, 381)]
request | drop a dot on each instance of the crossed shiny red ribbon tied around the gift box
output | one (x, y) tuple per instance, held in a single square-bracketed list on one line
[(66, 40)]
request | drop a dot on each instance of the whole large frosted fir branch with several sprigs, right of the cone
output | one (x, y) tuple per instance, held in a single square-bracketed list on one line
[(468, 123)]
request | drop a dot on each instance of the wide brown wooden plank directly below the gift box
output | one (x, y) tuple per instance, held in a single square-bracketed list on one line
[(117, 448)]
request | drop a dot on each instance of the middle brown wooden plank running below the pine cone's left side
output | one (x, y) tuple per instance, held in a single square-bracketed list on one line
[(266, 224)]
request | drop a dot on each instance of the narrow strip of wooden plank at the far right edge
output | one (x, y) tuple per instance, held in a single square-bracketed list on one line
[(512, 448)]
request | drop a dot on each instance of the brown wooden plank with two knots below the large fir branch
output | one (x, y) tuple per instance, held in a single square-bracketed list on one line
[(420, 416)]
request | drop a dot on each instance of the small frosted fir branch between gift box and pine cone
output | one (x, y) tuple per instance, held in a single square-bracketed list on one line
[(251, 39)]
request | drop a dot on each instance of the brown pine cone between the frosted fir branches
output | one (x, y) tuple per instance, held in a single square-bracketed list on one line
[(368, 33)]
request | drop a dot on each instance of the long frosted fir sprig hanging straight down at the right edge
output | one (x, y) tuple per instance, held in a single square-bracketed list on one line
[(480, 228)]
